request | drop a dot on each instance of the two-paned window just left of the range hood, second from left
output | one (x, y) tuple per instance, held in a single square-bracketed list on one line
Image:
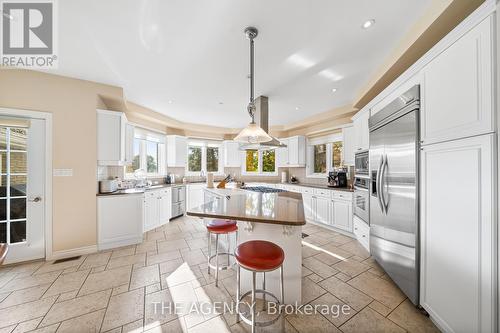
[(203, 157)]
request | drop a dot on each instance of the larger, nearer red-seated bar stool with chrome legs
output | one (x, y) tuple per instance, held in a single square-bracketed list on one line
[(258, 256)]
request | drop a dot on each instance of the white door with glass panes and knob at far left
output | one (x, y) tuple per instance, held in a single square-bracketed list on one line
[(22, 190)]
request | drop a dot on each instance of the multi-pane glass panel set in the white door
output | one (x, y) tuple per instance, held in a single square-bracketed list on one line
[(13, 182)]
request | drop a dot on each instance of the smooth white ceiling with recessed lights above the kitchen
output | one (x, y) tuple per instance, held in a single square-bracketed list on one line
[(189, 59)]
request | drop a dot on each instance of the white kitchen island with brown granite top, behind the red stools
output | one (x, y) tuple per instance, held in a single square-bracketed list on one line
[(275, 217)]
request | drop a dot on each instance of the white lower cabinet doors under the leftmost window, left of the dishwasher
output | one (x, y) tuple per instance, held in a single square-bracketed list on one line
[(157, 208)]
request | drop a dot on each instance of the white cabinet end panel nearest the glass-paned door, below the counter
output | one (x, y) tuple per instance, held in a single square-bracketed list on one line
[(119, 220)]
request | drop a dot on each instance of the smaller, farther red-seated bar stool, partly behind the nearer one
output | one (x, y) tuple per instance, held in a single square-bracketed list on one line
[(220, 227)]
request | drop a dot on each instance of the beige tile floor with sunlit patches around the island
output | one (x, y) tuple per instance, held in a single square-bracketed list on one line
[(116, 291)]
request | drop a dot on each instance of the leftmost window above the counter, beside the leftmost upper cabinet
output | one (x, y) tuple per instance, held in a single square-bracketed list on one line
[(148, 154)]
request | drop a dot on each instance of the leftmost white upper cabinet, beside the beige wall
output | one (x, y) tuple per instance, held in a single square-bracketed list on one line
[(114, 138)]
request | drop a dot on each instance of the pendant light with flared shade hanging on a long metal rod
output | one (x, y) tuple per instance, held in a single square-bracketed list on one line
[(253, 133)]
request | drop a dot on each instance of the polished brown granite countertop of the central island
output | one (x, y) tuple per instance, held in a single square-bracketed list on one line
[(283, 208)]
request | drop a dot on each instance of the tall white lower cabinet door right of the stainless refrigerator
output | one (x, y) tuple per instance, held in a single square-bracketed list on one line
[(457, 233)]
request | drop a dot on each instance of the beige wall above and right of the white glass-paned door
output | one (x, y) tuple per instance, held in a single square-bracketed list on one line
[(72, 104)]
